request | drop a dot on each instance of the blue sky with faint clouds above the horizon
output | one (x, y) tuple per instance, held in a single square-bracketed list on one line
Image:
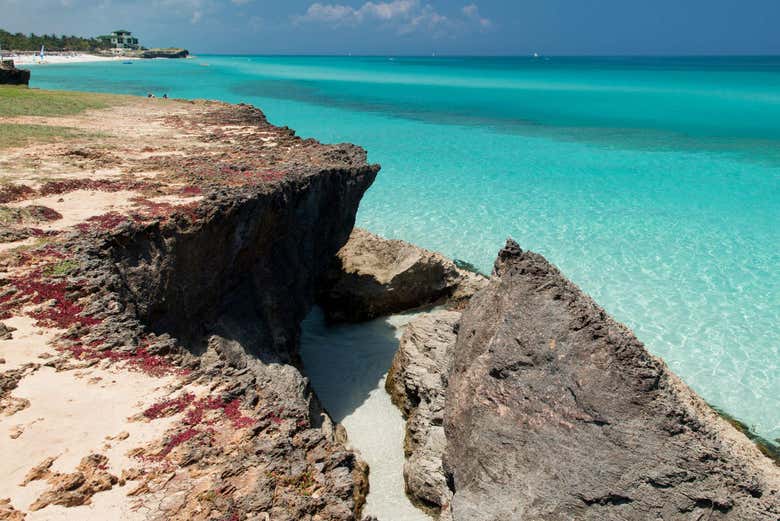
[(420, 27)]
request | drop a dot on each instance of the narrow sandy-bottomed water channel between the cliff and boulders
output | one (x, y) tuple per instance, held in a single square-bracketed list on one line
[(347, 366)]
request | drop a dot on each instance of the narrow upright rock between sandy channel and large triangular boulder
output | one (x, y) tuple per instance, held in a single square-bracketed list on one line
[(417, 382)]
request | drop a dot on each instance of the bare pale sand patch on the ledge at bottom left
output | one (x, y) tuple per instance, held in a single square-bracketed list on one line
[(71, 415)]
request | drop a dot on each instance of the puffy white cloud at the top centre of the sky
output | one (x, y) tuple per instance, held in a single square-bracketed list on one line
[(406, 16)]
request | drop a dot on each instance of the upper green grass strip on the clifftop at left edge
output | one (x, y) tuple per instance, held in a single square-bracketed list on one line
[(21, 101)]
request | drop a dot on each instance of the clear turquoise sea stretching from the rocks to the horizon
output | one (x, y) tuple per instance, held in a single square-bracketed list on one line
[(653, 183)]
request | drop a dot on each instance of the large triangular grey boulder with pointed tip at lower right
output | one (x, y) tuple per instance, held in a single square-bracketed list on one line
[(557, 412)]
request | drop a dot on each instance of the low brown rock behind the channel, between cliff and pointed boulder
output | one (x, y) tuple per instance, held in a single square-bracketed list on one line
[(373, 276)]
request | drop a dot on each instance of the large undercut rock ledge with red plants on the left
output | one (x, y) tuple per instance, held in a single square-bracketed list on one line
[(207, 294)]
